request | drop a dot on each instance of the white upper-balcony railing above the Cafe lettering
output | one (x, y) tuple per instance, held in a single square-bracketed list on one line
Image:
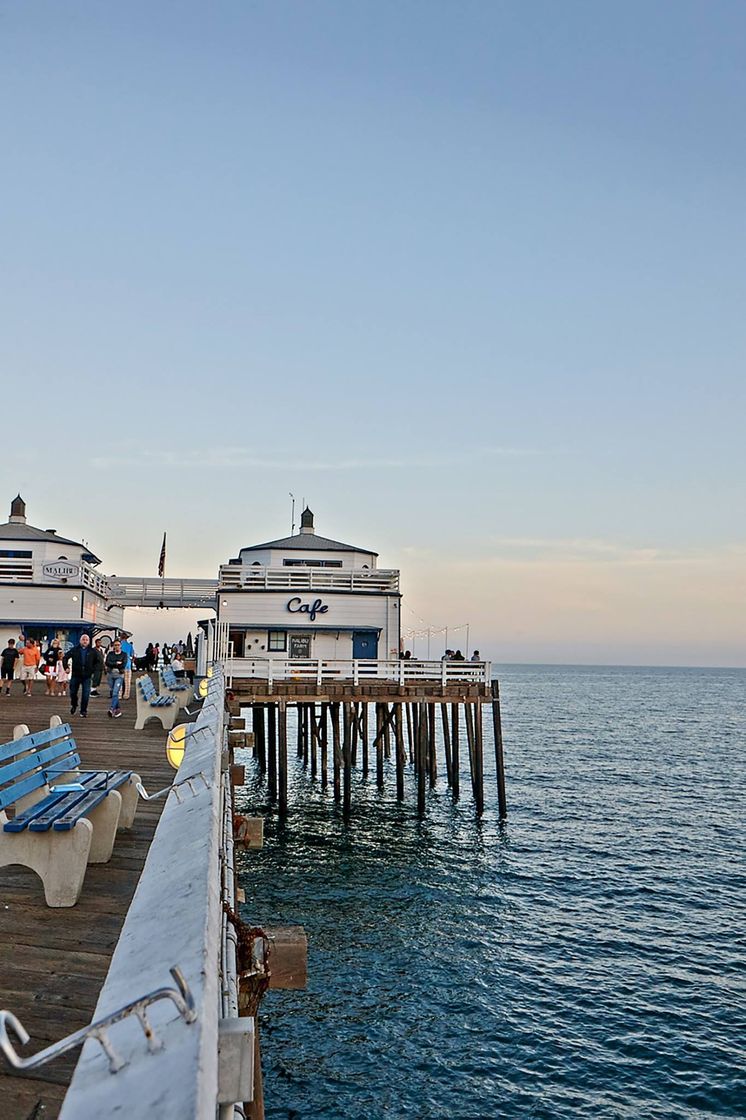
[(309, 580)]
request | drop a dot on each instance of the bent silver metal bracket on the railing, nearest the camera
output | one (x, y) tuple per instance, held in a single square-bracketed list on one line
[(180, 996)]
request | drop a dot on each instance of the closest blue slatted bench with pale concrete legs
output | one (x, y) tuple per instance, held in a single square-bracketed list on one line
[(55, 818)]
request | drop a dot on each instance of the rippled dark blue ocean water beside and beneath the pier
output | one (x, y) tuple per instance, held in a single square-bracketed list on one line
[(585, 959)]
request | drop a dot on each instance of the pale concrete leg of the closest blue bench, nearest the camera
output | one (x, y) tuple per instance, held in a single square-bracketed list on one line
[(59, 858)]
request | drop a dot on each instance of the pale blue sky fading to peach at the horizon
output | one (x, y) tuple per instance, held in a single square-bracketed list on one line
[(465, 277)]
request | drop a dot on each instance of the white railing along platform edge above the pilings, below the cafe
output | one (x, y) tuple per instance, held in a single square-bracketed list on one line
[(319, 671)]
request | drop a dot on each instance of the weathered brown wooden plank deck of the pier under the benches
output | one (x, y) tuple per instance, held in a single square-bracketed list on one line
[(53, 963)]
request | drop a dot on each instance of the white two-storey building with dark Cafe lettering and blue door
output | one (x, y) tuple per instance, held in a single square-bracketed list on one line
[(307, 596)]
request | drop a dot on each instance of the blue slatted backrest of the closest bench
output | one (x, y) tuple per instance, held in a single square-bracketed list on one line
[(30, 763)]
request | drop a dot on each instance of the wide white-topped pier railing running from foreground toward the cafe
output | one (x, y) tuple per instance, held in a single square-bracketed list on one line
[(175, 919)]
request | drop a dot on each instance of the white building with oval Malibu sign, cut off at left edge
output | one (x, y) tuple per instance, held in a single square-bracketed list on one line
[(50, 586)]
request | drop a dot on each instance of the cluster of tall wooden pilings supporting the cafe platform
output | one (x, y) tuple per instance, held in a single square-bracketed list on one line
[(335, 738)]
